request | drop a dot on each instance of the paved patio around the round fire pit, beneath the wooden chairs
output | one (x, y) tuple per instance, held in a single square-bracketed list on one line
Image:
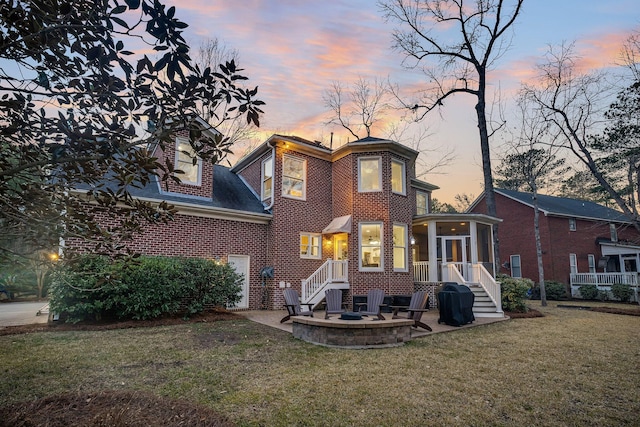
[(272, 318)]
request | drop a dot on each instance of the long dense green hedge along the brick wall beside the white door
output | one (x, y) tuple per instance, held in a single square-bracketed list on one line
[(98, 288)]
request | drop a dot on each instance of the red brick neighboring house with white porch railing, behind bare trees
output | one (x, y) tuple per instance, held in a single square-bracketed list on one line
[(582, 242)]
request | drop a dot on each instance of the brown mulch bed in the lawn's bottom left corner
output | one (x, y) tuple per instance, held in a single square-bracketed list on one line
[(109, 408)]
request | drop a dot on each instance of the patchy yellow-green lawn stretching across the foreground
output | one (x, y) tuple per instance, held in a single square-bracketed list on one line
[(571, 367)]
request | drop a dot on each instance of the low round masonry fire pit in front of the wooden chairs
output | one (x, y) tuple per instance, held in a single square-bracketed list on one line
[(355, 334)]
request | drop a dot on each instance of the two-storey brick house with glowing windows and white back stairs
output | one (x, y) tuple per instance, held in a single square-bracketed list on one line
[(353, 218)]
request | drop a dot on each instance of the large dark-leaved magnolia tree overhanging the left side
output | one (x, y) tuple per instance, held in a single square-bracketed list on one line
[(78, 104)]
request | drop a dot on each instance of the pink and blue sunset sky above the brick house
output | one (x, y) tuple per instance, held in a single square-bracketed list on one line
[(293, 50)]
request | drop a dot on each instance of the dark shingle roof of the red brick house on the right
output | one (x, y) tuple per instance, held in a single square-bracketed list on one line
[(562, 206)]
